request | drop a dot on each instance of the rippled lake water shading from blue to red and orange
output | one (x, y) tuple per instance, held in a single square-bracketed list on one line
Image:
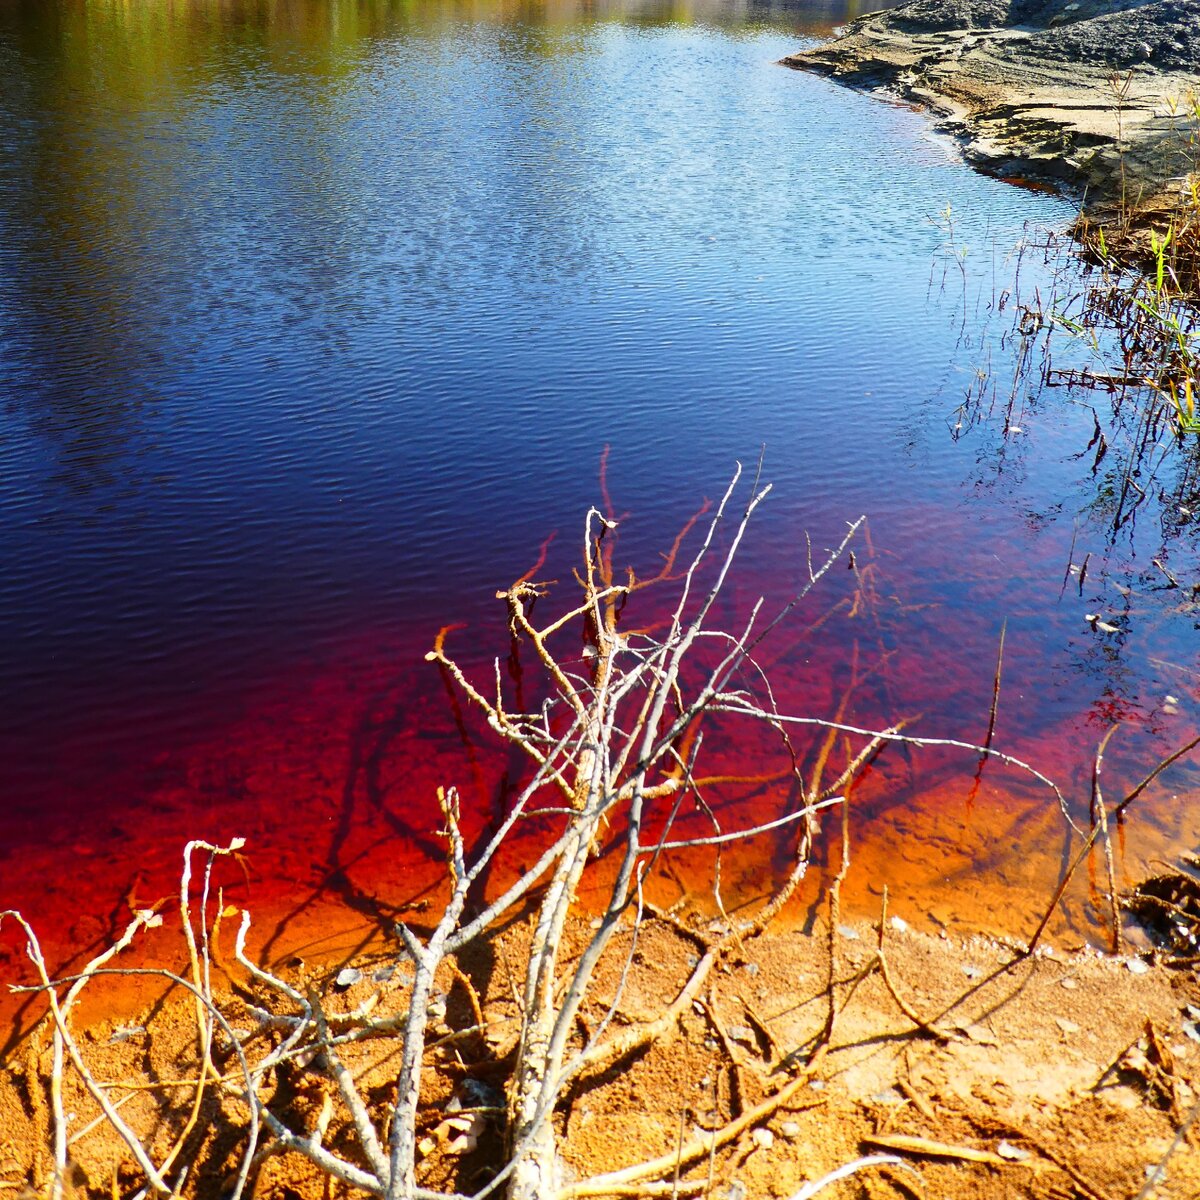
[(315, 322)]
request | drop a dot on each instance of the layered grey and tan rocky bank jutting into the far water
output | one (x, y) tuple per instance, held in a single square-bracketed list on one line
[(1099, 95)]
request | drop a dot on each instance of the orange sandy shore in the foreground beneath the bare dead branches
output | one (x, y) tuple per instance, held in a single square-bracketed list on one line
[(980, 1071)]
